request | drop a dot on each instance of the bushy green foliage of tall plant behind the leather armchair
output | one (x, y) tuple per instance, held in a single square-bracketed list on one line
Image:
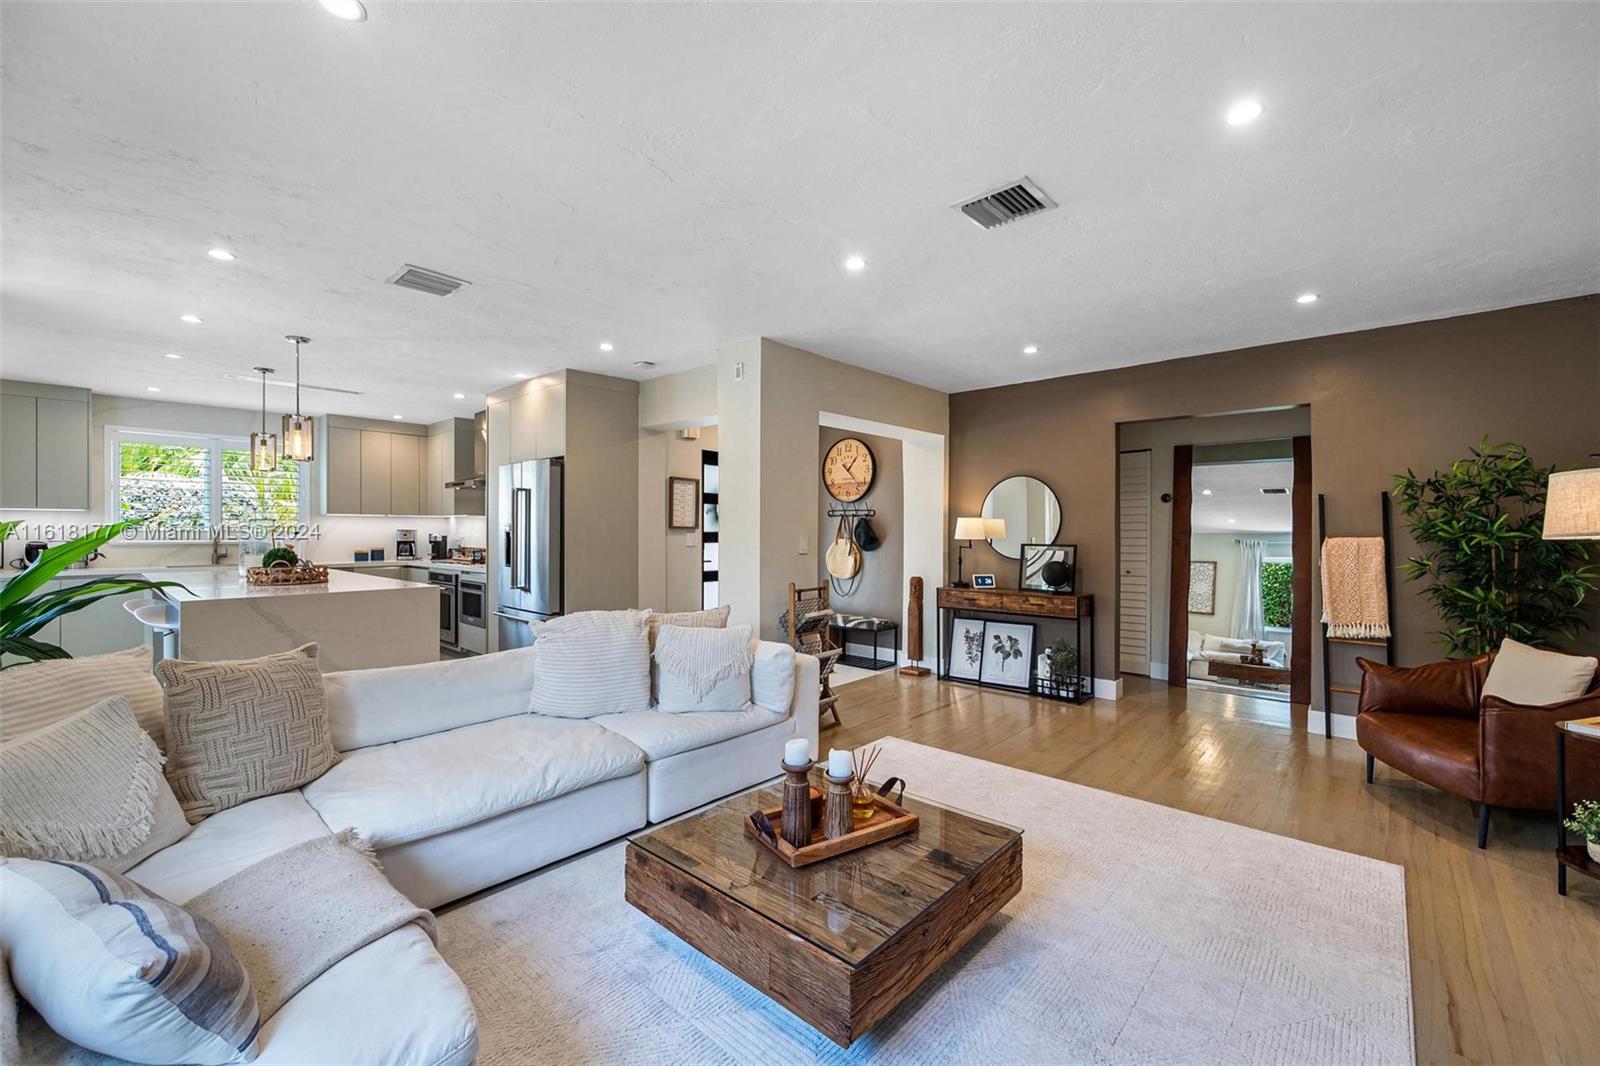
[(1482, 556)]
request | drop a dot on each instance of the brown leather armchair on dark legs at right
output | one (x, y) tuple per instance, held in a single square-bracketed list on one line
[(1434, 724)]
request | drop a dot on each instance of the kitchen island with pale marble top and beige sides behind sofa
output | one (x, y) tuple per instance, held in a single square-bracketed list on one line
[(358, 620)]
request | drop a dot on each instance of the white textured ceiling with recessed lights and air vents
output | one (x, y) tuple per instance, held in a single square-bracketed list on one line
[(678, 177)]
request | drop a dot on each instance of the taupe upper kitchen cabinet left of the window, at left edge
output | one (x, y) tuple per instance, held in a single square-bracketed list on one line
[(44, 447)]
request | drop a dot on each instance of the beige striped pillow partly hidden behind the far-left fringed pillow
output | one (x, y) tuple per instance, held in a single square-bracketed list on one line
[(41, 694)]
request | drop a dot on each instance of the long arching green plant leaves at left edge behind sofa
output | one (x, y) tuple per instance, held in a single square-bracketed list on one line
[(23, 614)]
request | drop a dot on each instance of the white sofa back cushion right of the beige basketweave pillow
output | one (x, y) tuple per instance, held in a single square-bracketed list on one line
[(393, 703)]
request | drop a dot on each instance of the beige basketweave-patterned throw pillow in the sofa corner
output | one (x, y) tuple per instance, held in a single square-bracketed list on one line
[(244, 729)]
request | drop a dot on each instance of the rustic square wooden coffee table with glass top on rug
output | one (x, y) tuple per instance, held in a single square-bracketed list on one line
[(842, 942)]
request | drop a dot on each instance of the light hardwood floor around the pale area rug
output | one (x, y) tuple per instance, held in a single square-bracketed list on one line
[(1503, 971)]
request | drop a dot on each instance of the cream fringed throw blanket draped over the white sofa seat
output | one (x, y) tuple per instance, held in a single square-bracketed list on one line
[(292, 916)]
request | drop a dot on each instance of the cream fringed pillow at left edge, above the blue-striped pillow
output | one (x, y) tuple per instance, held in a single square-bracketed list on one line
[(90, 790)]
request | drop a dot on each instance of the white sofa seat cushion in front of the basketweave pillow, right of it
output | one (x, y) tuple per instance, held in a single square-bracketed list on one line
[(418, 788)]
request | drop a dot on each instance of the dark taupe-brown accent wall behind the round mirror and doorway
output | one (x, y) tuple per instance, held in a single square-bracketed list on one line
[(1382, 401)]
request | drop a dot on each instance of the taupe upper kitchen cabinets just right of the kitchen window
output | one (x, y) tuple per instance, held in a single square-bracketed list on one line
[(367, 467)]
